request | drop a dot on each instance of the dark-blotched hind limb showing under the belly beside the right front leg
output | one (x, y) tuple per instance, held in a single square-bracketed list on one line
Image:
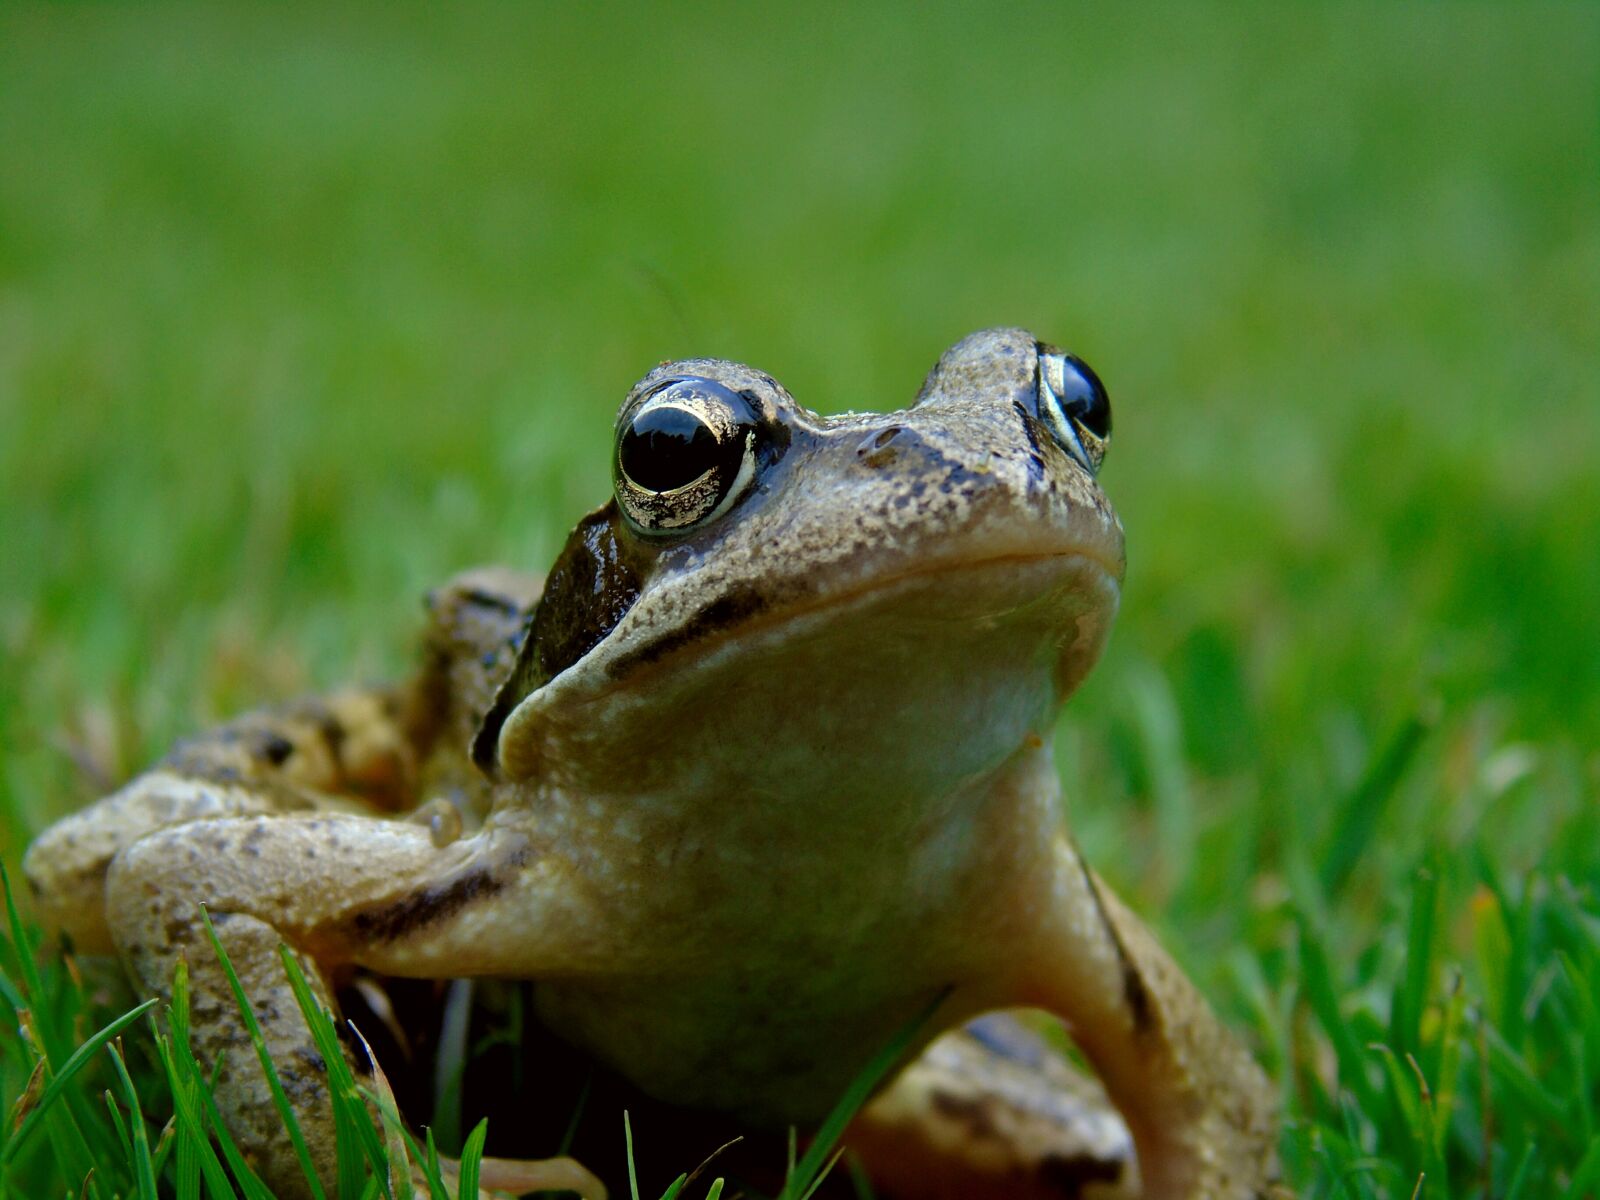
[(993, 1111)]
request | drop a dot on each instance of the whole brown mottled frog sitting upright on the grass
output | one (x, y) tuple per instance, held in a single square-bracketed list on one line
[(756, 780)]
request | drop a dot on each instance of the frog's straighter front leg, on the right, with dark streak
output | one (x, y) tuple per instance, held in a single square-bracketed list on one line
[(1202, 1114)]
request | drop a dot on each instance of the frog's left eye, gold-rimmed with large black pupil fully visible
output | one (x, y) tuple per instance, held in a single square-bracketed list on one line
[(686, 452)]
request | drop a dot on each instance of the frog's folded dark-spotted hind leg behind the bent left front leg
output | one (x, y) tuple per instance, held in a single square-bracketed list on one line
[(353, 751)]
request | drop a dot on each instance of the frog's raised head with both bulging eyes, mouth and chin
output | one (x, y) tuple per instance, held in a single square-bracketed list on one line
[(785, 601)]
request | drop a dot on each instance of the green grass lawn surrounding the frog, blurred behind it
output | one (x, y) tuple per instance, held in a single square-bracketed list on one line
[(302, 311)]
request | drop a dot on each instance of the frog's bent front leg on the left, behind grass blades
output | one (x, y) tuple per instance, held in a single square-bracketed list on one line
[(340, 892)]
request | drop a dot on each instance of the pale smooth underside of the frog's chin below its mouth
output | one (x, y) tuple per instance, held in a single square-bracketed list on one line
[(908, 682)]
